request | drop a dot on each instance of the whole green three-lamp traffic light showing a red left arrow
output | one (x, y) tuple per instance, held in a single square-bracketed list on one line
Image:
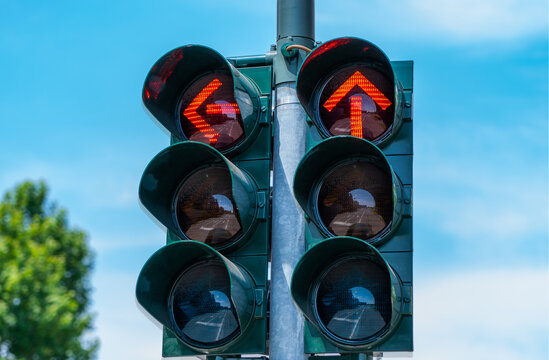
[(210, 188)]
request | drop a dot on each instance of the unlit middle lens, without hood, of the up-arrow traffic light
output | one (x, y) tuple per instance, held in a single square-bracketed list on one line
[(356, 199)]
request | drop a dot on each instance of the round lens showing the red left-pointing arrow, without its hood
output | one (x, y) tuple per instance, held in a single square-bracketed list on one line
[(208, 112)]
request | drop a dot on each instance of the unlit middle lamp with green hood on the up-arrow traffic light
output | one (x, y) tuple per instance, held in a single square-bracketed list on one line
[(346, 187)]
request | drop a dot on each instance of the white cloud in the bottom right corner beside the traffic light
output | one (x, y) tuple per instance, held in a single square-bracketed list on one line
[(482, 314)]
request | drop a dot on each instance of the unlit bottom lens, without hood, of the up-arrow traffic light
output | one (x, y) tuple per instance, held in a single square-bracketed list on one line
[(353, 300)]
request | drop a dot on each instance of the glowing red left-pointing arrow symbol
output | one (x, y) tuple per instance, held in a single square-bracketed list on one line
[(202, 125)]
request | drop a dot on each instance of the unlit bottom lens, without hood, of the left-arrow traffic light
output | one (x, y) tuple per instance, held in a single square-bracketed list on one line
[(202, 308)]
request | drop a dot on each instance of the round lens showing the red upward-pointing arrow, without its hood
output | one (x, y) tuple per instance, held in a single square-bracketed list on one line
[(358, 101)]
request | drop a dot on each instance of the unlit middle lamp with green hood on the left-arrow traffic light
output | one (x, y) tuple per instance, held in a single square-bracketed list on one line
[(198, 194)]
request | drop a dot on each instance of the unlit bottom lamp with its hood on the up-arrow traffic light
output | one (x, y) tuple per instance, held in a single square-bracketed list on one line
[(349, 293)]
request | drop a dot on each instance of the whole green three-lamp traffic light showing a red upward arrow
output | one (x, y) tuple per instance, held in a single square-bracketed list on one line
[(354, 184)]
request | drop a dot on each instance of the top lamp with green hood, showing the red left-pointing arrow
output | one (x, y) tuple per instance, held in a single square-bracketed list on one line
[(196, 94)]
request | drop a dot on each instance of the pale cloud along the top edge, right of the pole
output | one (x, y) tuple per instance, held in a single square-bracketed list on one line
[(464, 20)]
